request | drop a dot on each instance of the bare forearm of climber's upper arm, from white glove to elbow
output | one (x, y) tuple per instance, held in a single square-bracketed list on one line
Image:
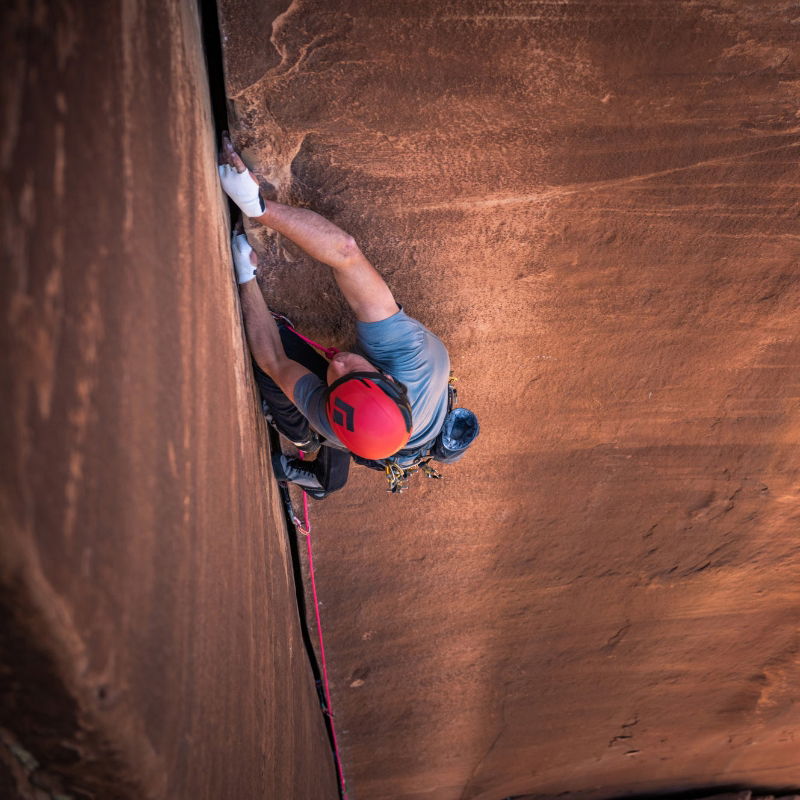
[(317, 236)]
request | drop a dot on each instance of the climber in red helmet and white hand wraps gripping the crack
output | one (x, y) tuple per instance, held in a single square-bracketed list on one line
[(386, 402)]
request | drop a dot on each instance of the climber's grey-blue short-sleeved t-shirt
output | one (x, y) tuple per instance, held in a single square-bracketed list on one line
[(411, 354)]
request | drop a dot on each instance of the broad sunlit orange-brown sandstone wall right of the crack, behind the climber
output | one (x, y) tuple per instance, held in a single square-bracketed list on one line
[(595, 205)]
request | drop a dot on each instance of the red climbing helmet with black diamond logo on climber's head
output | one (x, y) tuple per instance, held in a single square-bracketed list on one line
[(369, 413)]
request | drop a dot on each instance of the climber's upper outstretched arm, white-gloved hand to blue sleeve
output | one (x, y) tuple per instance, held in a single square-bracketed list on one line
[(362, 286)]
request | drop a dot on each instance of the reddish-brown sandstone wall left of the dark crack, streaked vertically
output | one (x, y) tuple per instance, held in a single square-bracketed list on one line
[(148, 622)]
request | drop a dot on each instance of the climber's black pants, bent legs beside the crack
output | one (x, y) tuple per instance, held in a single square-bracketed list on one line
[(332, 466)]
